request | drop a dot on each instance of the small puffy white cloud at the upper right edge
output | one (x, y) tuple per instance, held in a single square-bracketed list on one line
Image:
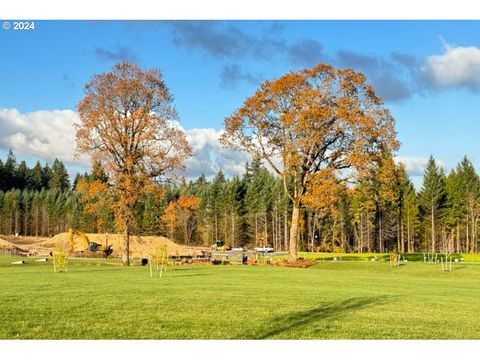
[(457, 67)]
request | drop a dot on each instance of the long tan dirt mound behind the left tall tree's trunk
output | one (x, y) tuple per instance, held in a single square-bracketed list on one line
[(140, 246)]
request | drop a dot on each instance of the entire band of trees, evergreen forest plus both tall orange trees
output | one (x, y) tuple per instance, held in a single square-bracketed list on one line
[(332, 183)]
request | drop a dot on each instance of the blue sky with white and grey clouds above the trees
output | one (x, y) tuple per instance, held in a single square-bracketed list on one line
[(428, 73)]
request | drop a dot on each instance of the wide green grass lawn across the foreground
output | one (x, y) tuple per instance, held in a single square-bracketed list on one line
[(333, 300)]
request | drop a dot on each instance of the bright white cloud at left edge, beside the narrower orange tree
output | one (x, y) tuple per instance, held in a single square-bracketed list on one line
[(42, 134)]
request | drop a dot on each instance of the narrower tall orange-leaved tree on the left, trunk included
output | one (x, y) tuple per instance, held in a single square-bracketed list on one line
[(127, 123)]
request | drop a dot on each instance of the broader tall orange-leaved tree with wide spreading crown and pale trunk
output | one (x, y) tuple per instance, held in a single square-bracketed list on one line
[(308, 121)]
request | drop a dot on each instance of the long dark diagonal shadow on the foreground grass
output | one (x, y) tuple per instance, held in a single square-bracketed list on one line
[(306, 318)]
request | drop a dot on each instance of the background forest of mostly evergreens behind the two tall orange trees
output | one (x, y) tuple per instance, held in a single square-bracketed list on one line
[(381, 211)]
